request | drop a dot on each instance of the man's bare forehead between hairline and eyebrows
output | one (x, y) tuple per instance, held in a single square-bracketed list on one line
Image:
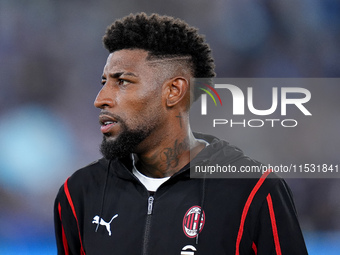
[(132, 60)]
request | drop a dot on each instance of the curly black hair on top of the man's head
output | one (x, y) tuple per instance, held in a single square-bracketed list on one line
[(162, 37)]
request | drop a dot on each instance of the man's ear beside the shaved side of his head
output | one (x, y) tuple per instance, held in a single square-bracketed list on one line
[(177, 89)]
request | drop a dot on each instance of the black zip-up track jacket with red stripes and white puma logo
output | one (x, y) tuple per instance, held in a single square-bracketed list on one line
[(104, 209)]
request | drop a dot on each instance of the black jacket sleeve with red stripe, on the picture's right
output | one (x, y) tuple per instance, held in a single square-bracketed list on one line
[(278, 227)]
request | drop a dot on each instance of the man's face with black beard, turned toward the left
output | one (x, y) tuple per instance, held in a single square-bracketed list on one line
[(130, 103)]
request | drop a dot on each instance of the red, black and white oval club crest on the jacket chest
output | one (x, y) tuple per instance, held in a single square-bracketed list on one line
[(191, 219)]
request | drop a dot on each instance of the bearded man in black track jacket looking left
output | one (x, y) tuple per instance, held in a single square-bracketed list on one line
[(139, 198)]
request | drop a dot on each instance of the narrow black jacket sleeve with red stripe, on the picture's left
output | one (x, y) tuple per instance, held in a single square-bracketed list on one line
[(66, 226)]
